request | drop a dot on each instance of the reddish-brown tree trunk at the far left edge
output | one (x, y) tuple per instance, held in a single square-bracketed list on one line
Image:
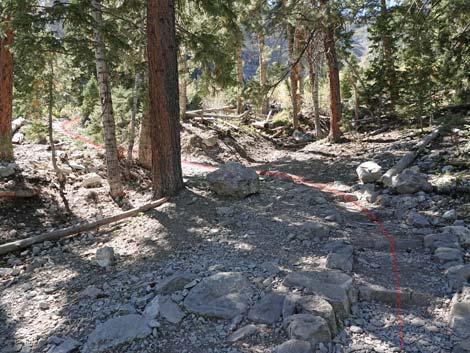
[(6, 94)]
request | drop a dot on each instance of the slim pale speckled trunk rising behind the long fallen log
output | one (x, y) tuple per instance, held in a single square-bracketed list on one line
[(109, 129)]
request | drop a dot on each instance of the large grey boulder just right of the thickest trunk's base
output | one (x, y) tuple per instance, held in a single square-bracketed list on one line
[(234, 180)]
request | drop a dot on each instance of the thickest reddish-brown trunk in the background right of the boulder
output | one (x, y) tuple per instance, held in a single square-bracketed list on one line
[(333, 74)]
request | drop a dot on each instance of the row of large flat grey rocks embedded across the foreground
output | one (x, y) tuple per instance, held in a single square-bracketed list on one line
[(308, 317)]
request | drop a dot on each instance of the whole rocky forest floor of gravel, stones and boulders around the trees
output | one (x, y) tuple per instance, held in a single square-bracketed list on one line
[(239, 262)]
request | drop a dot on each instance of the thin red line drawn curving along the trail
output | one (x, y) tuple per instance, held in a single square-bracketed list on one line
[(65, 128)]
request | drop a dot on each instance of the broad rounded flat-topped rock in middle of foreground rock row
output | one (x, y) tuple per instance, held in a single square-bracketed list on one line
[(223, 295)]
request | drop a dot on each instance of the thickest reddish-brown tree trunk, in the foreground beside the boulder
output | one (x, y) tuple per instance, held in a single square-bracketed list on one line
[(163, 98)]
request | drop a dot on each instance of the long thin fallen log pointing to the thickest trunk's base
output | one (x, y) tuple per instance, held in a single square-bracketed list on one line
[(62, 233)]
